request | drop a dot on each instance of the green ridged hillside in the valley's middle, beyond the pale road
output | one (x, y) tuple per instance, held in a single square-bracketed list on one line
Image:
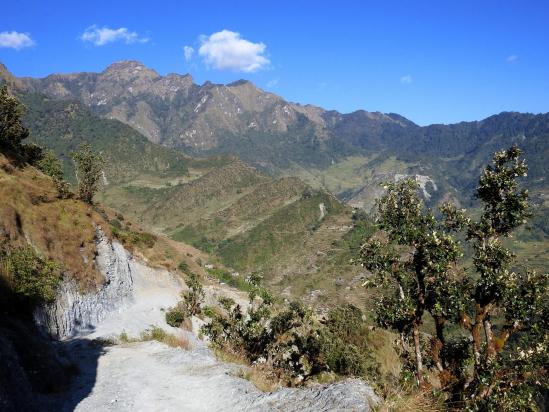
[(249, 222)]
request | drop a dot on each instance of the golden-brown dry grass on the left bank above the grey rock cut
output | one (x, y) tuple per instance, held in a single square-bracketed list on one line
[(59, 229)]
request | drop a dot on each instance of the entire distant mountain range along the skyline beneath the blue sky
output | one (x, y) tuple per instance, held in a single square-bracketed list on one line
[(349, 154)]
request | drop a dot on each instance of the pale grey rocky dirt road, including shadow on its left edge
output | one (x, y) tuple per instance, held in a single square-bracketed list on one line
[(151, 376)]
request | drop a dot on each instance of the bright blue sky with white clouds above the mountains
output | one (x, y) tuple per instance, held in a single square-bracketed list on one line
[(431, 61)]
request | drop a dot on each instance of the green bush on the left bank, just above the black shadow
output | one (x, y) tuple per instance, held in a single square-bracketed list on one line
[(30, 276)]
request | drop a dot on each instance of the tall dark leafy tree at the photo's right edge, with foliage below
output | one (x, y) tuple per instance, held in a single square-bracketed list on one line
[(501, 351)]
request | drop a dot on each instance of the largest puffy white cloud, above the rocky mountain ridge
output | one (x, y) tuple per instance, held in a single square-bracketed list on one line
[(226, 50)]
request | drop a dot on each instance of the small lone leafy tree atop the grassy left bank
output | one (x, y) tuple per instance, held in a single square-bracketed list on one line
[(89, 166)]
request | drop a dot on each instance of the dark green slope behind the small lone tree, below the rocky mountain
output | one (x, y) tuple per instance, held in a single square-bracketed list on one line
[(64, 125)]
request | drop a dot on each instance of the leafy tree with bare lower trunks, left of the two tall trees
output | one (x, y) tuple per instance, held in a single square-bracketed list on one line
[(414, 262)]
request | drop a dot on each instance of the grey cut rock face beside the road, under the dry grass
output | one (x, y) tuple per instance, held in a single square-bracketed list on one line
[(73, 312)]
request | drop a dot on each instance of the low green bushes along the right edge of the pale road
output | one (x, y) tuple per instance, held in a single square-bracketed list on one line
[(288, 339)]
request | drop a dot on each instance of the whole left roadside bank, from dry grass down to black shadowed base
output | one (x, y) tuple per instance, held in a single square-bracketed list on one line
[(43, 239)]
